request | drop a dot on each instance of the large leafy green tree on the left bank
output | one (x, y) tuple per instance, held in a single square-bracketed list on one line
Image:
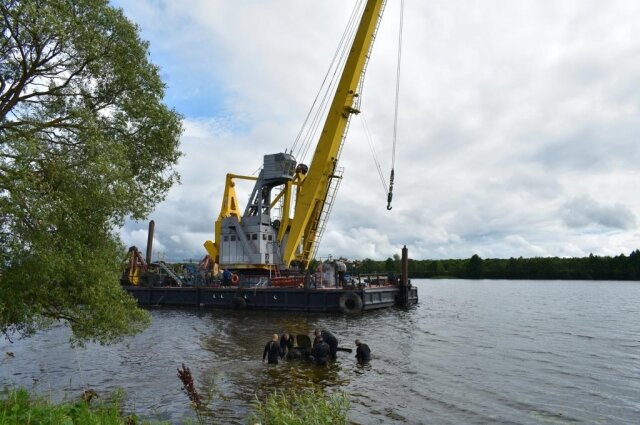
[(85, 141)]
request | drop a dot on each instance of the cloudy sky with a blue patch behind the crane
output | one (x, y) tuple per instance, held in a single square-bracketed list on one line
[(517, 134)]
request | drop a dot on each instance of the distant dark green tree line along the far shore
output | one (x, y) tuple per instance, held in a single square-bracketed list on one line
[(593, 267)]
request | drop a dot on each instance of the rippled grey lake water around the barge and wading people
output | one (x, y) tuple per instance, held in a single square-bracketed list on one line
[(473, 352)]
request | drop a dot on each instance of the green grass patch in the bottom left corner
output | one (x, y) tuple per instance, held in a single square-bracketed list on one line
[(18, 407)]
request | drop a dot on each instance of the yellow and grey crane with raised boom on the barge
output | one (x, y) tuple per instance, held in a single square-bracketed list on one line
[(252, 240)]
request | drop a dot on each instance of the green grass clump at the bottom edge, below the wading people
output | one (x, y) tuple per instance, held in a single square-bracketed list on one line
[(308, 407)]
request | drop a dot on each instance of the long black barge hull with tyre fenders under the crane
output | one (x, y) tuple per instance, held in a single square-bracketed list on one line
[(273, 298)]
